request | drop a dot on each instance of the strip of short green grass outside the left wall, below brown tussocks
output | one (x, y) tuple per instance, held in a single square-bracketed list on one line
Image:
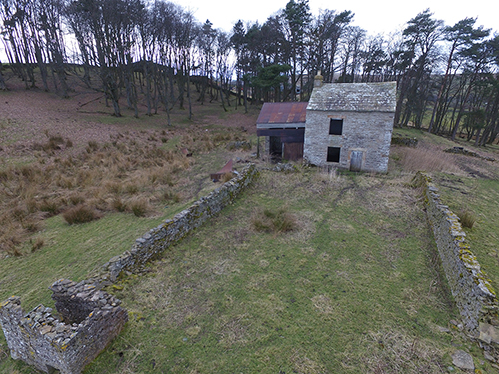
[(71, 251)]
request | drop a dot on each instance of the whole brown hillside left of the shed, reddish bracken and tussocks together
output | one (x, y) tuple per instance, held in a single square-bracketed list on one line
[(58, 159)]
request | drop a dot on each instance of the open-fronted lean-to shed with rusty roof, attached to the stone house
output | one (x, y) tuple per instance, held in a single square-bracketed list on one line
[(283, 126)]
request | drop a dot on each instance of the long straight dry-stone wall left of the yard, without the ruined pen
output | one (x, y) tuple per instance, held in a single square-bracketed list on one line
[(170, 231)]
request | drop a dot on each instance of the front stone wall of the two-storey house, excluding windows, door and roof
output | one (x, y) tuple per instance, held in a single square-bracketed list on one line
[(368, 132)]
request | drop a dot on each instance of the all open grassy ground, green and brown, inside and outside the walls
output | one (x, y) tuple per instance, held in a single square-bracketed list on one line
[(311, 271)]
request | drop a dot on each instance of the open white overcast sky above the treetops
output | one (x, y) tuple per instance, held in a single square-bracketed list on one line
[(375, 16)]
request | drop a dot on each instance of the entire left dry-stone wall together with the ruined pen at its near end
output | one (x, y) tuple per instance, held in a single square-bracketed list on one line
[(90, 318)]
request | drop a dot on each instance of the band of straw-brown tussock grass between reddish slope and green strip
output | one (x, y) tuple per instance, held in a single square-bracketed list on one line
[(120, 175)]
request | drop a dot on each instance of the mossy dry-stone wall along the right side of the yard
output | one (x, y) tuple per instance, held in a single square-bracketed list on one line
[(470, 286)]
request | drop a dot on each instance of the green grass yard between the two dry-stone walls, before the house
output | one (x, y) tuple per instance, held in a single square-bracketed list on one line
[(353, 289)]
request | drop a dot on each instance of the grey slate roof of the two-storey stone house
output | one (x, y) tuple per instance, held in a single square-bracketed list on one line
[(354, 97)]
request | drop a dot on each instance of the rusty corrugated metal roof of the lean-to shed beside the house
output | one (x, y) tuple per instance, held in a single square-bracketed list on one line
[(289, 112)]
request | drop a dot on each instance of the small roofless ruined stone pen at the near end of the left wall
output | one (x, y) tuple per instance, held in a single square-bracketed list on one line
[(89, 319)]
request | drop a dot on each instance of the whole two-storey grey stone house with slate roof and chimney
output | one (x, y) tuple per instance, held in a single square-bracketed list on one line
[(349, 125)]
